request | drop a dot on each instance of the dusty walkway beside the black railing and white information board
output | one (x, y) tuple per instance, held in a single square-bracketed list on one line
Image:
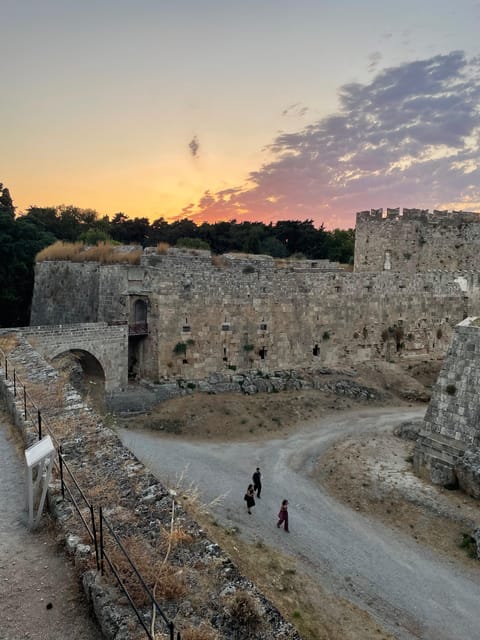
[(40, 597)]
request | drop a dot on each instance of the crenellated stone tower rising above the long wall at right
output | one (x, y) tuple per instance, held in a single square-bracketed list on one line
[(416, 240)]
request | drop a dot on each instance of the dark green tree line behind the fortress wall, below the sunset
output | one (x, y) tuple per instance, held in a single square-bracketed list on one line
[(23, 236)]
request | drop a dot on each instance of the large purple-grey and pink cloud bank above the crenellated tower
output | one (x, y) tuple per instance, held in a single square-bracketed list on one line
[(411, 137)]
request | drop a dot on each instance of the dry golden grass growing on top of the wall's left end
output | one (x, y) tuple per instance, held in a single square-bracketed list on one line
[(78, 252)]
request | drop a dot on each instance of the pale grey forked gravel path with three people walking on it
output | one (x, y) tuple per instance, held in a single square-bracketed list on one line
[(413, 592)]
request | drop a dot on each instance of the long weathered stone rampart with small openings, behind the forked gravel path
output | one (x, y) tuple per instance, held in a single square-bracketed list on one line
[(240, 313)]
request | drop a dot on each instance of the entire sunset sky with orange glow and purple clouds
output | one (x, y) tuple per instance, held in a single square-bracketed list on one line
[(246, 109)]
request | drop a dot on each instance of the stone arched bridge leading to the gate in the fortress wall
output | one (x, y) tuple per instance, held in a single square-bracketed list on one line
[(107, 344)]
